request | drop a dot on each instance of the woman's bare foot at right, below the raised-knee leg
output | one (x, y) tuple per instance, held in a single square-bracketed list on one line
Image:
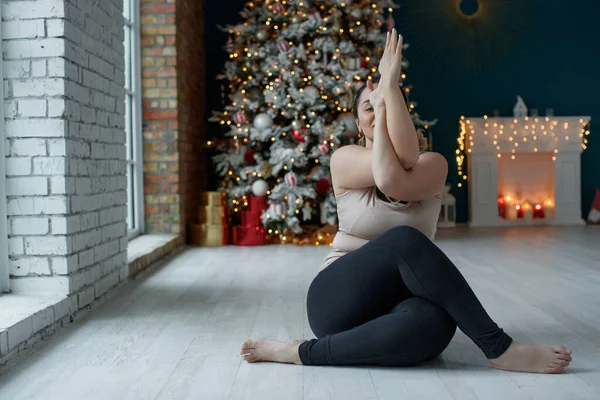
[(537, 359)]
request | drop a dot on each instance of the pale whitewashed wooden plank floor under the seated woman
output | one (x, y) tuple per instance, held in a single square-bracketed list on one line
[(175, 333)]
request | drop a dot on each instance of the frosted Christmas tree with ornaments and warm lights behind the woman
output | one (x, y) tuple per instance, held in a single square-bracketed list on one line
[(293, 67)]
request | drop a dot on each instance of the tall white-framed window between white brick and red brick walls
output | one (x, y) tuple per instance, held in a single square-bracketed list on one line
[(133, 119)]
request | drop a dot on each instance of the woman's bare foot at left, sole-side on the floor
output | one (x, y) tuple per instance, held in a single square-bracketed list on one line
[(257, 350)]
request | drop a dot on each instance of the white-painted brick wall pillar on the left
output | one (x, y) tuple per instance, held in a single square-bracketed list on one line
[(64, 103)]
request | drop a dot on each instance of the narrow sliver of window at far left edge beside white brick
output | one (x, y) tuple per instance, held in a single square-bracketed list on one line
[(4, 281)]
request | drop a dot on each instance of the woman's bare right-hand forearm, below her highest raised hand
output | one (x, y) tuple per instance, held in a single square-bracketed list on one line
[(401, 129)]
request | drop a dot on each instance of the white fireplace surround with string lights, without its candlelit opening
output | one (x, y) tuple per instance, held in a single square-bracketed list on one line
[(486, 141)]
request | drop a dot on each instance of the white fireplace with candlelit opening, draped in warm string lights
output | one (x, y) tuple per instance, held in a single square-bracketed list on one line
[(522, 170)]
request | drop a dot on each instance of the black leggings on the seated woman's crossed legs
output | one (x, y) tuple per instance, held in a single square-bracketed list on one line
[(396, 301)]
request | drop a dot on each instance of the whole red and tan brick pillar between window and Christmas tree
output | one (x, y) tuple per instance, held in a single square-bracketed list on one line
[(173, 121)]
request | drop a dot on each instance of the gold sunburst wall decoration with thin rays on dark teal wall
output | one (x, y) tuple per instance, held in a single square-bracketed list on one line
[(466, 37)]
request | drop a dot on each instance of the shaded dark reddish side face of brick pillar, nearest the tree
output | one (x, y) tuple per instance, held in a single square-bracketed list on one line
[(191, 106)]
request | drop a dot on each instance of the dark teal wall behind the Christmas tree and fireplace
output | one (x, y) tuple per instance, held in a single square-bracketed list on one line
[(546, 51)]
